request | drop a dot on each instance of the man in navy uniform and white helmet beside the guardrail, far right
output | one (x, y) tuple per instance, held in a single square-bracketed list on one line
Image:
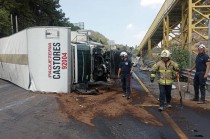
[(202, 66)]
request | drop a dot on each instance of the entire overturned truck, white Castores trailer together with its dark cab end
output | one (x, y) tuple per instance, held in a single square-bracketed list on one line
[(44, 59)]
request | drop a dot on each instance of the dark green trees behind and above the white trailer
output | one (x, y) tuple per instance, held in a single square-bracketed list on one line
[(31, 13)]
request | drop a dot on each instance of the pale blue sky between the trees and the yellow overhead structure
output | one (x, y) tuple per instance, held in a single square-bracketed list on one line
[(122, 21)]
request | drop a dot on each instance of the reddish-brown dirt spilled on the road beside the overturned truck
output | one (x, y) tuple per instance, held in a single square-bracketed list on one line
[(108, 103)]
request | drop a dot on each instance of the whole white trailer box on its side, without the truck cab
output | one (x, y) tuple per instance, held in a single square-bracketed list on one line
[(38, 59)]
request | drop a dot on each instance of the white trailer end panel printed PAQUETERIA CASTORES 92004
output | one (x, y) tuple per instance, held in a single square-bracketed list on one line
[(48, 55)]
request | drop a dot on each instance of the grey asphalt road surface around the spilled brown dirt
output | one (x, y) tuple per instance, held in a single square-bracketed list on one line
[(28, 115)]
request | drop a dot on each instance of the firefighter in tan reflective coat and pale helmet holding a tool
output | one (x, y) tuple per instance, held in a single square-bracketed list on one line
[(165, 69)]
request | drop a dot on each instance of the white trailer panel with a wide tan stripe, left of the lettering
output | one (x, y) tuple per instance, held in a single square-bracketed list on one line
[(14, 59)]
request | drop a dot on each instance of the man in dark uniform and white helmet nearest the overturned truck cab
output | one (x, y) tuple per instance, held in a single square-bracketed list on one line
[(125, 70)]
